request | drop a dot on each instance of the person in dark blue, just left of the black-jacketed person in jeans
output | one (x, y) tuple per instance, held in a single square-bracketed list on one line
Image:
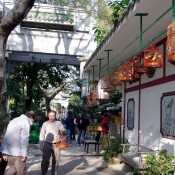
[(70, 127)]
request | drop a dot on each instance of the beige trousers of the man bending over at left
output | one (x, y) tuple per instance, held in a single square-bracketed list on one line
[(17, 167)]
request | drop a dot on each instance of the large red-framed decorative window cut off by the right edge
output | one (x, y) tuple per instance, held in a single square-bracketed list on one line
[(167, 117)]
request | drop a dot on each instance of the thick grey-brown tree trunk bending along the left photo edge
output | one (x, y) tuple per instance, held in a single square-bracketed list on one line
[(8, 23)]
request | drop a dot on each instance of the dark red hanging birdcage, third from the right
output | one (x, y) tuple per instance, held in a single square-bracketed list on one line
[(139, 64)]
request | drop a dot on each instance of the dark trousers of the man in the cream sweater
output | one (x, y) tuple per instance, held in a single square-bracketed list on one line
[(48, 151)]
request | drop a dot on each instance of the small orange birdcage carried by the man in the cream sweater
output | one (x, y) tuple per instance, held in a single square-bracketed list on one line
[(63, 143)]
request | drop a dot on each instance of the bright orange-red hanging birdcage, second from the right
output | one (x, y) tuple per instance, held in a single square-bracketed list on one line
[(153, 57)]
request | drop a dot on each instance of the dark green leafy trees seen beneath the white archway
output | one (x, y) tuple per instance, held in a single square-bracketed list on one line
[(31, 83)]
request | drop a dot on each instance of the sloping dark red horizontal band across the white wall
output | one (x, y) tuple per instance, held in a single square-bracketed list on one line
[(151, 83)]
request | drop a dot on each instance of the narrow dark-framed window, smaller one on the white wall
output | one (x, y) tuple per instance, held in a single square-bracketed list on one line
[(130, 113)]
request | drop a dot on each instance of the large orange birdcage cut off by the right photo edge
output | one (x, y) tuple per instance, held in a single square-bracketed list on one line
[(171, 43)]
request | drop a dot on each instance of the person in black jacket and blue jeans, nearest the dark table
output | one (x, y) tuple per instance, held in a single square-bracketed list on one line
[(82, 124)]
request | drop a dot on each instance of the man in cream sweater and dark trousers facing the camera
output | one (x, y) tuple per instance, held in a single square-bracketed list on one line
[(49, 136)]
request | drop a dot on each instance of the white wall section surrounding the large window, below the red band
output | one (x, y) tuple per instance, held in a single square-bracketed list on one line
[(151, 117)]
